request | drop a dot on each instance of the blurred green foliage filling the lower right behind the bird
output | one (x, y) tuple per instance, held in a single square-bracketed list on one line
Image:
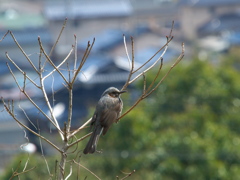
[(188, 129)]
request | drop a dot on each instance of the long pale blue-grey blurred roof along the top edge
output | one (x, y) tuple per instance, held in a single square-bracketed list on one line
[(59, 10)]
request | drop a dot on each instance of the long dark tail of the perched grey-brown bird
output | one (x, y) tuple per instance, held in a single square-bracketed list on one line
[(92, 143)]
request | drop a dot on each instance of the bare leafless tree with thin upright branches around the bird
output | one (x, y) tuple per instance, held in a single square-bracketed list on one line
[(66, 134)]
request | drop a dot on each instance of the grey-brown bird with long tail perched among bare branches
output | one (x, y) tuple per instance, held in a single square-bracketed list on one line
[(108, 110)]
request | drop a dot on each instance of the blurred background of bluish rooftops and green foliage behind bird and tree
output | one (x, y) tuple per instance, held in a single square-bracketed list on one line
[(188, 129)]
